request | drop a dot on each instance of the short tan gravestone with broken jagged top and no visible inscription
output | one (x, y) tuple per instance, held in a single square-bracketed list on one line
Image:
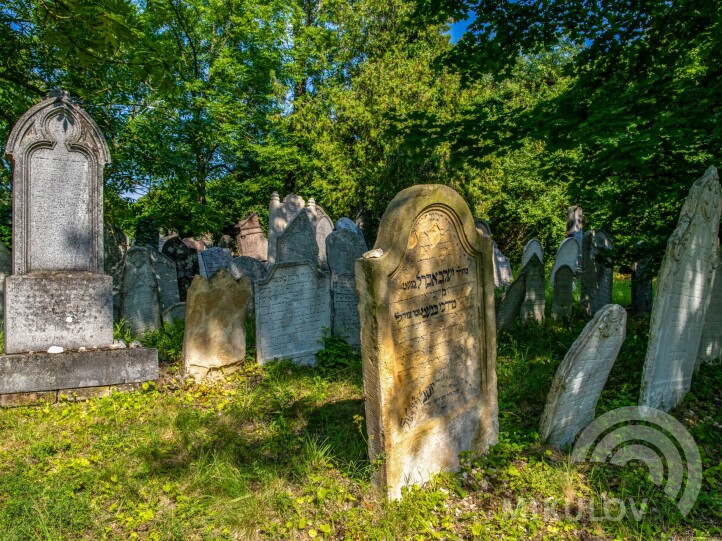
[(214, 342)]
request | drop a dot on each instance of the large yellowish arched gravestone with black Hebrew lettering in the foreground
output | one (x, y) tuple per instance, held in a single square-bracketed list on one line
[(428, 338)]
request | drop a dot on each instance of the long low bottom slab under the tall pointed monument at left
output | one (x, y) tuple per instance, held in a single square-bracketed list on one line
[(36, 372)]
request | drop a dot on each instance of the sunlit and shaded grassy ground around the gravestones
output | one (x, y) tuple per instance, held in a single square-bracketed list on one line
[(280, 452)]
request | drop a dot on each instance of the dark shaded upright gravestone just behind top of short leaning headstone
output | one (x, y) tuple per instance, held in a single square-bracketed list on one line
[(597, 271)]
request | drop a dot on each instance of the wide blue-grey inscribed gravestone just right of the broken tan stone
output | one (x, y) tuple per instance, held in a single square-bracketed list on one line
[(293, 306)]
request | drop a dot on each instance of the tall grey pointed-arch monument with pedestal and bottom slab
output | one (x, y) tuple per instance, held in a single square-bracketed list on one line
[(58, 295)]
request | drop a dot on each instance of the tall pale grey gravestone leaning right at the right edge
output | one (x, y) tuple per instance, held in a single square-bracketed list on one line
[(684, 288)]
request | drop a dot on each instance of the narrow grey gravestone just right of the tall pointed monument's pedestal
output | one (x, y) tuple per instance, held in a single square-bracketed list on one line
[(140, 299)]
